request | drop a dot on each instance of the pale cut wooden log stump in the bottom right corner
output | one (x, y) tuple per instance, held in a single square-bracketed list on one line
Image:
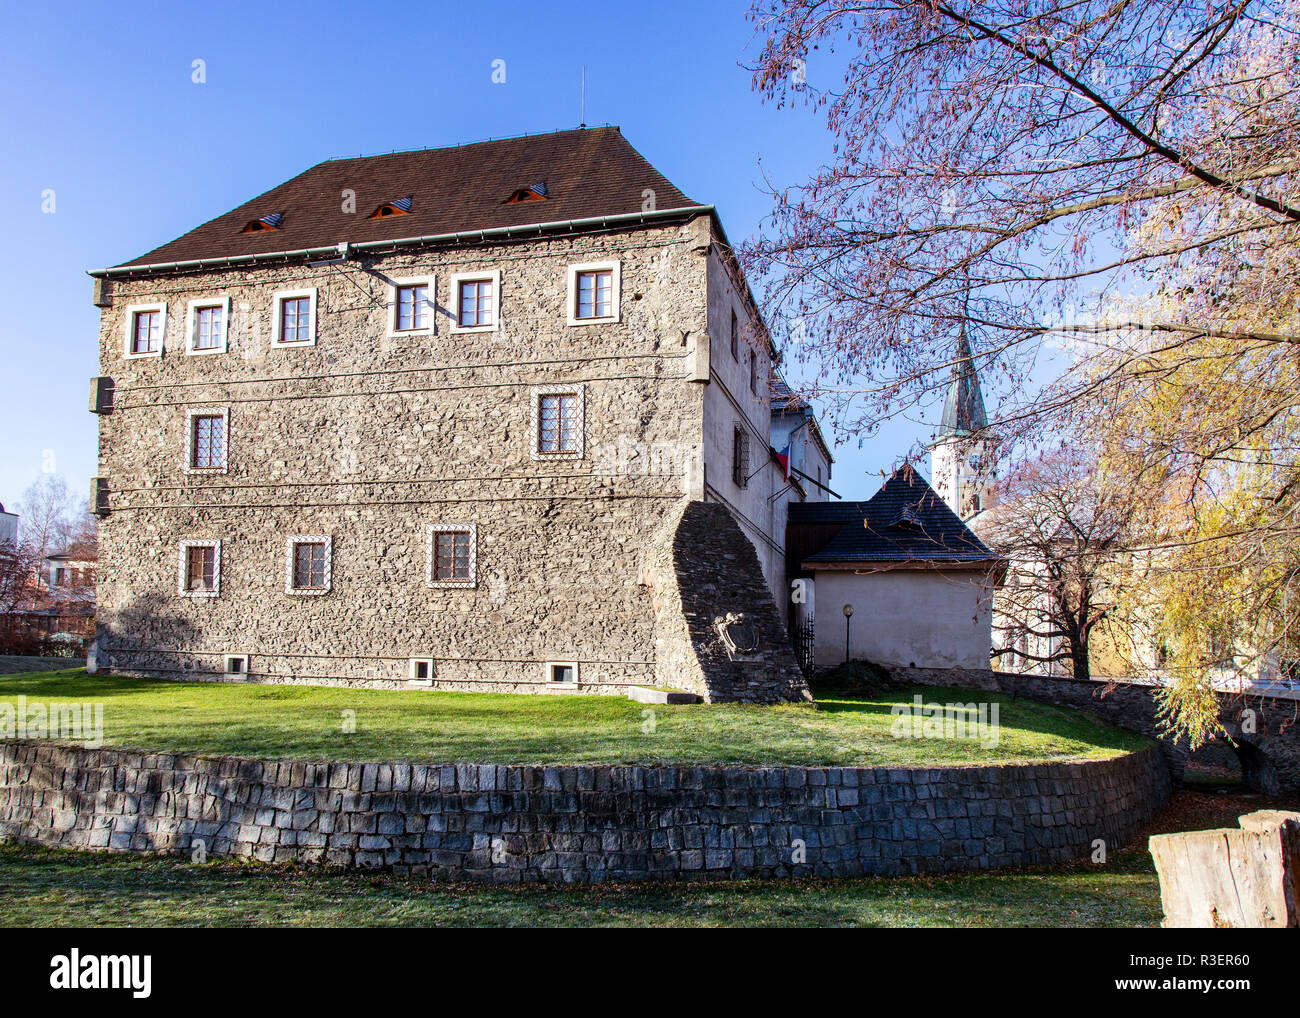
[(1232, 878)]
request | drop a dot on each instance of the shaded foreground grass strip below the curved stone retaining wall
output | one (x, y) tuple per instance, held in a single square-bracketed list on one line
[(41, 887)]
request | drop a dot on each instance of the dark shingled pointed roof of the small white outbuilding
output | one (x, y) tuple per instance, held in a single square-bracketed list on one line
[(904, 522)]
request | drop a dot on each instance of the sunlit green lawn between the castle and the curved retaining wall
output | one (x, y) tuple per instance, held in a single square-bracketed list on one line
[(309, 724)]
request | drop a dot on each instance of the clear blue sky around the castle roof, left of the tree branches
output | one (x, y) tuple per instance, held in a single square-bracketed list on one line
[(99, 107)]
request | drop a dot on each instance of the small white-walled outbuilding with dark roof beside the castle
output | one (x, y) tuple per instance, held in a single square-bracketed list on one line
[(898, 581)]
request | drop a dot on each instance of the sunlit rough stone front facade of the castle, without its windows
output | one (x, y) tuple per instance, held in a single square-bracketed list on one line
[(370, 437)]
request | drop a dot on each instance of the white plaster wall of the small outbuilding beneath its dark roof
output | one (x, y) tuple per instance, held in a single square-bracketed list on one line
[(933, 620)]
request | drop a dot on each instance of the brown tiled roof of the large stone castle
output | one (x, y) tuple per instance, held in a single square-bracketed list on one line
[(588, 174)]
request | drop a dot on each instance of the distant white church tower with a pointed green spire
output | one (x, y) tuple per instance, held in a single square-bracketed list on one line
[(961, 457)]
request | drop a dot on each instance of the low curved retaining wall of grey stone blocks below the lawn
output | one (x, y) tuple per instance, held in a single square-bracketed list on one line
[(514, 825)]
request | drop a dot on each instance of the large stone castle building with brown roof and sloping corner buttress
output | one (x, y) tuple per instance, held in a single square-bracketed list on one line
[(489, 418)]
